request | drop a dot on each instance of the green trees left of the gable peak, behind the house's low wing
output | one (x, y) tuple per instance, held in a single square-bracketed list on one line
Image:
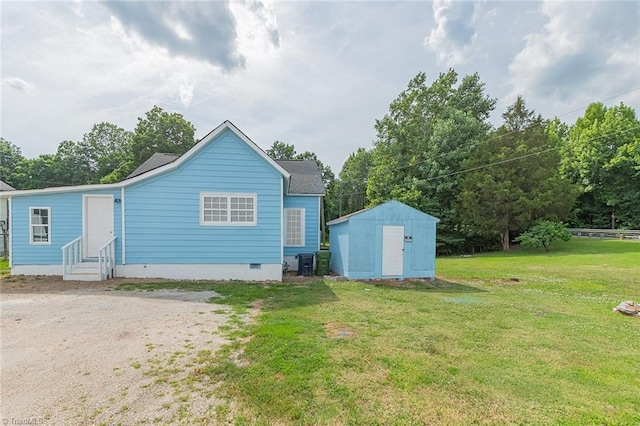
[(105, 154)]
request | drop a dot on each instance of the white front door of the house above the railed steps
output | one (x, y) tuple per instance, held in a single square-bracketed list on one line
[(98, 223)]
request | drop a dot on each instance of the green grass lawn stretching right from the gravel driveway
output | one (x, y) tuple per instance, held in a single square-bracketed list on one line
[(525, 337)]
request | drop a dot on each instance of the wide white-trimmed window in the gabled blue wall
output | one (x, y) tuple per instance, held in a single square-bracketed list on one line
[(226, 209)]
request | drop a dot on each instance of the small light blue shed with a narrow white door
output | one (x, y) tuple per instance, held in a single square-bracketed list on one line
[(391, 240)]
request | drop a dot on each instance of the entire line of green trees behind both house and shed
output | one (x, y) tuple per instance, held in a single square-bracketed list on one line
[(435, 150)]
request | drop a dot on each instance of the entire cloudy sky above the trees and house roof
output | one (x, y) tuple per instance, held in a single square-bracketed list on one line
[(314, 74)]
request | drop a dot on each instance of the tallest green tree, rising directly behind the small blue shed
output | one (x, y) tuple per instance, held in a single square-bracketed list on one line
[(422, 145)]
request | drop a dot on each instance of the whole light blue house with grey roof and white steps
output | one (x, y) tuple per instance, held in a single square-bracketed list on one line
[(223, 210)]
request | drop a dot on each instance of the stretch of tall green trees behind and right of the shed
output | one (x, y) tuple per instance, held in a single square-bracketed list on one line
[(436, 151)]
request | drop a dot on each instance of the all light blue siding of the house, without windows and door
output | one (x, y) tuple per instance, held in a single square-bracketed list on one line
[(158, 218)]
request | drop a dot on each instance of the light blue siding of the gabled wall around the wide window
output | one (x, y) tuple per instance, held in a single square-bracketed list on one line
[(163, 214)]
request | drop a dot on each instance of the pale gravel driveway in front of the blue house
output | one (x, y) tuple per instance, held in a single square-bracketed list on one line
[(82, 353)]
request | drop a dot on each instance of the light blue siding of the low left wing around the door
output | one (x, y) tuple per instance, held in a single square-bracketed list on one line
[(65, 226)]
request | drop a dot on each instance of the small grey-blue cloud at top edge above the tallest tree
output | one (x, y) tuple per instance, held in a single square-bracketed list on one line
[(454, 33)]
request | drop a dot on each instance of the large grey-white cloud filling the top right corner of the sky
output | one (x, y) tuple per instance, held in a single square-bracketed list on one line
[(585, 52)]
